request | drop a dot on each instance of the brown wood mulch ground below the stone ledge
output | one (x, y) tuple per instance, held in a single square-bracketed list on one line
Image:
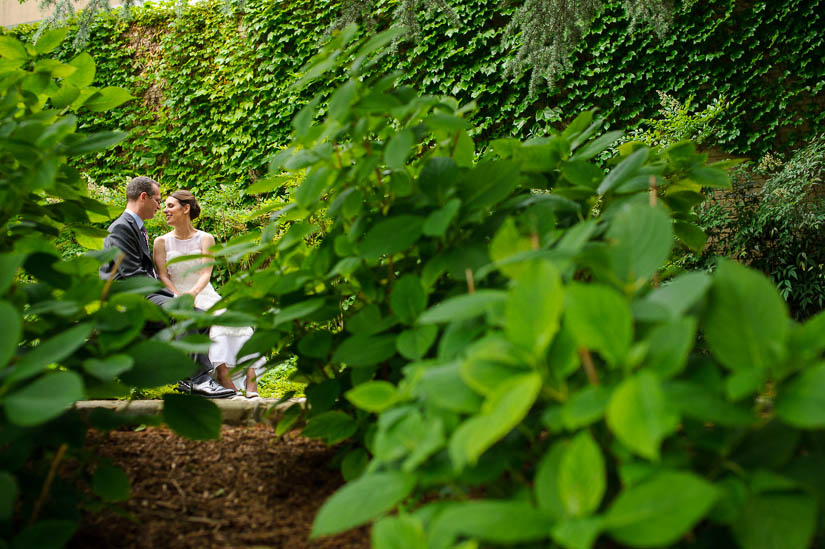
[(248, 489)]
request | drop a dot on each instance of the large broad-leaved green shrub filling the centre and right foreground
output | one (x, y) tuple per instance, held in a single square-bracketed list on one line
[(561, 392)]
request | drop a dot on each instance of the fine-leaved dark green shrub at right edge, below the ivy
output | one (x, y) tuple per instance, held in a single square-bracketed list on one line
[(776, 227)]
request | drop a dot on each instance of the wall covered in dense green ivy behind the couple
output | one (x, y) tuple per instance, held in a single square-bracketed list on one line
[(214, 104)]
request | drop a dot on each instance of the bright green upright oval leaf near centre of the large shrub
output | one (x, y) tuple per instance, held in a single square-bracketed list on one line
[(534, 306)]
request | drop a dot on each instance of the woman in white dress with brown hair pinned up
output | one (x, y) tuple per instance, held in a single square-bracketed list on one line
[(181, 278)]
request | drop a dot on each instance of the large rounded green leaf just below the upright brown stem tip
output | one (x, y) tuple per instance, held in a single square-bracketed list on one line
[(640, 241)]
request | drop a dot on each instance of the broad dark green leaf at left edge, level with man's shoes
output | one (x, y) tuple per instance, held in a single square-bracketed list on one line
[(44, 399)]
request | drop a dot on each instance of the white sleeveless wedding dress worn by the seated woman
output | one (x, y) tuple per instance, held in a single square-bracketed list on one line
[(226, 340)]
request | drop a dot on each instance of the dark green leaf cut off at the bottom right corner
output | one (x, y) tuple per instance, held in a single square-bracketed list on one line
[(776, 521)]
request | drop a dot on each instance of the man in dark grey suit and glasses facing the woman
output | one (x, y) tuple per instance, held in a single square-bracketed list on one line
[(128, 233)]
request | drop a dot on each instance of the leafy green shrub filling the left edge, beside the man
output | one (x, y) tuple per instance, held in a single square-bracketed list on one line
[(67, 335)]
